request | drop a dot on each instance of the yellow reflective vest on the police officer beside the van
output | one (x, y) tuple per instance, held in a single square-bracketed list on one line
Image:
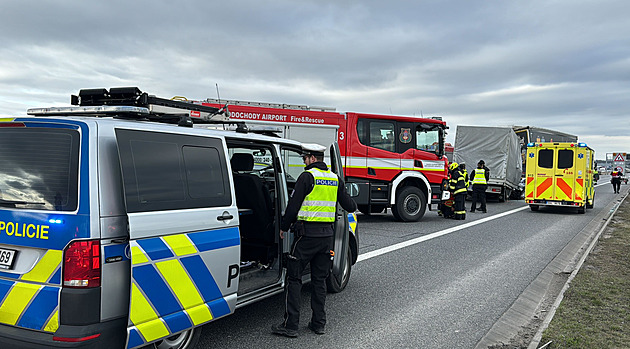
[(320, 204)]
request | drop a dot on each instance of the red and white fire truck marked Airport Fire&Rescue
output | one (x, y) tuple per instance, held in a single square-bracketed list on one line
[(395, 162)]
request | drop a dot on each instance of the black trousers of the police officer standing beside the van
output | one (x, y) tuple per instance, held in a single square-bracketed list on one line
[(316, 251)]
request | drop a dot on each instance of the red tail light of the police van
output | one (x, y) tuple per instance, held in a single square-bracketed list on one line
[(82, 264)]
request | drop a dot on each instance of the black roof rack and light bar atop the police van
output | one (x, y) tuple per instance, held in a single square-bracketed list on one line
[(132, 103)]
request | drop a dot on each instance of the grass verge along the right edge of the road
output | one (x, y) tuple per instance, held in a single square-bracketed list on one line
[(595, 310)]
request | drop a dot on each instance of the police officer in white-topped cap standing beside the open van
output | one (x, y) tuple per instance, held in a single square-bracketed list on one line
[(311, 210)]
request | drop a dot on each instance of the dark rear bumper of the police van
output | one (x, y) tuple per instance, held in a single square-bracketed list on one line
[(111, 334)]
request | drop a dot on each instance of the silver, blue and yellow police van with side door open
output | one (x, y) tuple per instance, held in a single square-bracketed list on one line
[(123, 226)]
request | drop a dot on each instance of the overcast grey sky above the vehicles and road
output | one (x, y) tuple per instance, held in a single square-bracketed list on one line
[(563, 65)]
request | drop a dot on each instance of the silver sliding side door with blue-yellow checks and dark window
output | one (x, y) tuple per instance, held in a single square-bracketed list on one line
[(183, 232)]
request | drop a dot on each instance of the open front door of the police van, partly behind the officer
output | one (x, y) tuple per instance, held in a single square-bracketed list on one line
[(341, 245)]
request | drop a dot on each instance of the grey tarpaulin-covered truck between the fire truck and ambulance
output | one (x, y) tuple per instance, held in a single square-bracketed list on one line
[(499, 147)]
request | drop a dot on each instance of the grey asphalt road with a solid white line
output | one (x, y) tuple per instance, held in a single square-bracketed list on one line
[(437, 283)]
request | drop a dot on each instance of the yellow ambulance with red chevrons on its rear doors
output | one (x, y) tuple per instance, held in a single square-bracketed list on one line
[(559, 174)]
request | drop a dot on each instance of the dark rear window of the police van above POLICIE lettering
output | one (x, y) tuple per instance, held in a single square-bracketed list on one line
[(39, 168)]
